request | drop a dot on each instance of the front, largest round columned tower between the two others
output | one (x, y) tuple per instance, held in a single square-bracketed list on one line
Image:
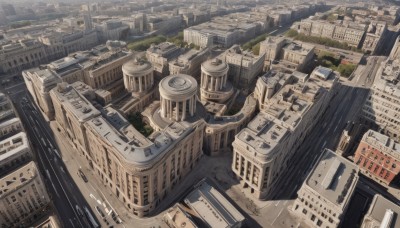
[(178, 97)]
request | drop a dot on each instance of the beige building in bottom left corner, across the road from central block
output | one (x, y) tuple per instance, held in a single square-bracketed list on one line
[(23, 196)]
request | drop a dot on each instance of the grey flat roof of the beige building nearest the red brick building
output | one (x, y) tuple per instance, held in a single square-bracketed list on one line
[(333, 178)]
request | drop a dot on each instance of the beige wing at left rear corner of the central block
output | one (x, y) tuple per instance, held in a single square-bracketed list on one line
[(100, 68)]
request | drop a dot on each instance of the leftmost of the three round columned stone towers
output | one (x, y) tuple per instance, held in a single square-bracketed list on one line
[(138, 76)]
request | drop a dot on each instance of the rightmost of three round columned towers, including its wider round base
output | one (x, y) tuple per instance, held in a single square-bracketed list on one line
[(214, 84)]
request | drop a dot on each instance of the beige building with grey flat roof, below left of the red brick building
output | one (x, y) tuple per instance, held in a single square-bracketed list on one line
[(324, 196)]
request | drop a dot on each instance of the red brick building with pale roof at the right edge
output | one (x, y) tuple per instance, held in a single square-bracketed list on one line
[(378, 157)]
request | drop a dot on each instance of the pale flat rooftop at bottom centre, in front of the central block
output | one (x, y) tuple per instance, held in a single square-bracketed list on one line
[(212, 207)]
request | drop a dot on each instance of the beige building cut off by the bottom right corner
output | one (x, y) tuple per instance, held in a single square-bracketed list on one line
[(381, 213)]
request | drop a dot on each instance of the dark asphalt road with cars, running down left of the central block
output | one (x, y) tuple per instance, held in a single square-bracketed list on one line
[(63, 191)]
